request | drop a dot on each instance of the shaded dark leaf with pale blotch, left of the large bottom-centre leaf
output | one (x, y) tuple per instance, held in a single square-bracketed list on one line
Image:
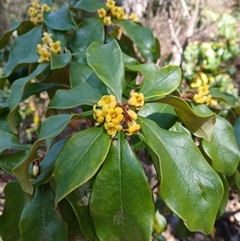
[(79, 199)]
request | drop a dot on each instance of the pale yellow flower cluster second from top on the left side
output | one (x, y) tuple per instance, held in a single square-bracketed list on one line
[(47, 47)]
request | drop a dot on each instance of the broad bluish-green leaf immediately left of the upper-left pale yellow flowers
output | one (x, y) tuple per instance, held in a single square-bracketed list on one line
[(22, 52)]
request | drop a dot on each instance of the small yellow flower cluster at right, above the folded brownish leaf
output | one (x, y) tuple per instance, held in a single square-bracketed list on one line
[(203, 96)]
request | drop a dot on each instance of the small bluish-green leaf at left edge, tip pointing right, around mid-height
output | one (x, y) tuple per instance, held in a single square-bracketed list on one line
[(10, 141)]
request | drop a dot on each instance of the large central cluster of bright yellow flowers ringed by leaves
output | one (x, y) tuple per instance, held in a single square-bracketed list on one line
[(116, 116)]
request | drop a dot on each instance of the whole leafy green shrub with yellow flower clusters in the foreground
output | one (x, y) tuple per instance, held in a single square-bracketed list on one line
[(101, 76)]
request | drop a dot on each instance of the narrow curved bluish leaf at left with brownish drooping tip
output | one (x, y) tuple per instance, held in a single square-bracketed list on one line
[(16, 94)]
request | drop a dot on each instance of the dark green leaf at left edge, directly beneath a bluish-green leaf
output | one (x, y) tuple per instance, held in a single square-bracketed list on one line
[(9, 161)]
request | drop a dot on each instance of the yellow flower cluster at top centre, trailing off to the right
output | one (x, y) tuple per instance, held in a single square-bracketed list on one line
[(114, 11)]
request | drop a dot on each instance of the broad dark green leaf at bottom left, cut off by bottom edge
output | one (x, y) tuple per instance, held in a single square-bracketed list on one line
[(40, 220)]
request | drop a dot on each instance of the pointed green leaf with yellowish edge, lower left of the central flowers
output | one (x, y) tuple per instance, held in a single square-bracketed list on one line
[(79, 160)]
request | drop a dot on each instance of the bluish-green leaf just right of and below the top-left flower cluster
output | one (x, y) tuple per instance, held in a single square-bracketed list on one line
[(61, 19)]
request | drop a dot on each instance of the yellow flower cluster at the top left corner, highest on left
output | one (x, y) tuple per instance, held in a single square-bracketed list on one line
[(35, 12)]
